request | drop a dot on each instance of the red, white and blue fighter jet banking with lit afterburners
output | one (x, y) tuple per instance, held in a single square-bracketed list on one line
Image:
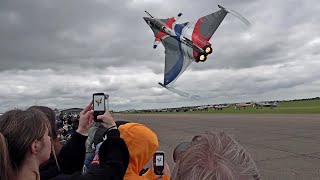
[(186, 42)]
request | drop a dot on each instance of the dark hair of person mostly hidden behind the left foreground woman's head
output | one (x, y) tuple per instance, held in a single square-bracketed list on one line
[(51, 117)]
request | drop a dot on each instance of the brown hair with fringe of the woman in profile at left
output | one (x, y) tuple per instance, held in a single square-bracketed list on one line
[(18, 130)]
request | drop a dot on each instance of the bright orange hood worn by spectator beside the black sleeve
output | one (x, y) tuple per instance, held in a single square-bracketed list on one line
[(142, 143)]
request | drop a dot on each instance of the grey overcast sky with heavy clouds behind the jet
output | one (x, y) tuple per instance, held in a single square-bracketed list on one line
[(57, 53)]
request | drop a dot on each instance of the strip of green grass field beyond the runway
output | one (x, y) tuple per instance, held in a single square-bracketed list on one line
[(291, 107)]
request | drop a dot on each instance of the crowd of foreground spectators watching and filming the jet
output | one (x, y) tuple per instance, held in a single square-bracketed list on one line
[(36, 144)]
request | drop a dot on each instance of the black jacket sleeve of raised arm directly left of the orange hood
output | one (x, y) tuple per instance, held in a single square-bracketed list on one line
[(113, 157)]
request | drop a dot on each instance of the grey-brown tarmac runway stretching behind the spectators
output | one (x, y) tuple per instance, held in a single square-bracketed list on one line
[(283, 146)]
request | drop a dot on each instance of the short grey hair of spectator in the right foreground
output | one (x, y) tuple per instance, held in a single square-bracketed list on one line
[(215, 155)]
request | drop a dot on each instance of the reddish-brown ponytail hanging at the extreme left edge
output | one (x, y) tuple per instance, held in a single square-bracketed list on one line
[(6, 171)]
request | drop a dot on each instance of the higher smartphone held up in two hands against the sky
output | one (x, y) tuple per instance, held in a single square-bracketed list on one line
[(99, 105)]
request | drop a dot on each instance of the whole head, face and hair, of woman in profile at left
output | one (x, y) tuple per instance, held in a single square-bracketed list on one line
[(23, 135)]
